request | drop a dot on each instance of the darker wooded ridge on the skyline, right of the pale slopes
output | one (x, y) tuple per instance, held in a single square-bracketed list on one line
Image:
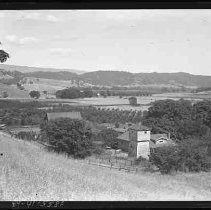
[(126, 78)]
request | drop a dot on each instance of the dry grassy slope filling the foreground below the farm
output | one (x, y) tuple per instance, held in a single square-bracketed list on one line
[(29, 173)]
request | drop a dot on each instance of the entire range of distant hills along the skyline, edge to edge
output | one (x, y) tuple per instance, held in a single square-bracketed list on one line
[(10, 74)]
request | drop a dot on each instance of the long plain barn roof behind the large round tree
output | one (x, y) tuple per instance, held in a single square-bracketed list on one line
[(71, 115)]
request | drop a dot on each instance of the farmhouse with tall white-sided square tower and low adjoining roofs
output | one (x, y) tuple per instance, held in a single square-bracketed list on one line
[(138, 141)]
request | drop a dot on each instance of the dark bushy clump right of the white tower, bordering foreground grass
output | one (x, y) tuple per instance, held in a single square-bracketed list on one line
[(190, 155)]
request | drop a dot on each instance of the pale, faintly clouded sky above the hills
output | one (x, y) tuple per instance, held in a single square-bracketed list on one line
[(126, 40)]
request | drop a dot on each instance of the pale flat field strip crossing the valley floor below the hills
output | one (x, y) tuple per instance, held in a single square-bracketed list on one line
[(114, 102)]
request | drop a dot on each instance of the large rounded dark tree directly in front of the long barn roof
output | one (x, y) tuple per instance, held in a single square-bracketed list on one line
[(70, 136)]
